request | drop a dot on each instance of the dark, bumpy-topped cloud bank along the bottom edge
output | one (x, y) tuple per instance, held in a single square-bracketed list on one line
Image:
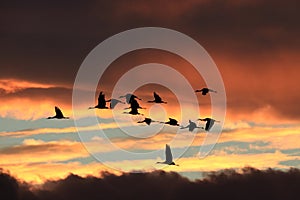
[(228, 184)]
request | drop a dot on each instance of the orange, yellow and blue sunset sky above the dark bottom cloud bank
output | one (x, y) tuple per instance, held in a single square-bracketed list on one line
[(254, 44)]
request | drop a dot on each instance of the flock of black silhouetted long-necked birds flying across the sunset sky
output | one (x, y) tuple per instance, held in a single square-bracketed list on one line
[(131, 99)]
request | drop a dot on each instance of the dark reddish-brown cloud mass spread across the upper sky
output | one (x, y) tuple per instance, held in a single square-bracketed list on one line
[(47, 41)]
